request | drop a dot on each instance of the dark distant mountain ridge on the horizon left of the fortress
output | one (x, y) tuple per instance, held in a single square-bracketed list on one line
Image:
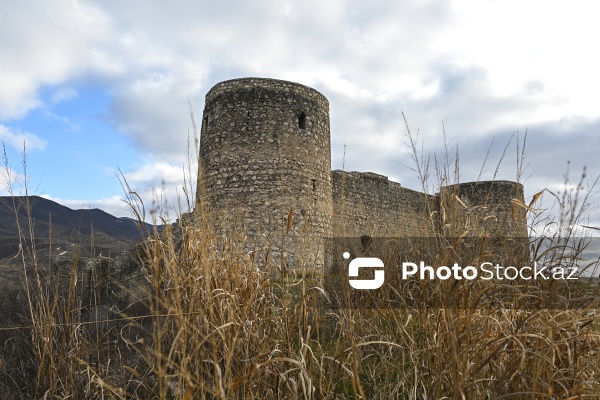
[(60, 230)]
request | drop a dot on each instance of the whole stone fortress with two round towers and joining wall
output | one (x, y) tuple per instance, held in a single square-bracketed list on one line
[(265, 156)]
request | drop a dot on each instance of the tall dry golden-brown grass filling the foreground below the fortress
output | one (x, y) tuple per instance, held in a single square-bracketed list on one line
[(215, 325)]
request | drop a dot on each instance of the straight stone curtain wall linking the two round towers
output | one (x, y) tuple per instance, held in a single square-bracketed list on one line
[(365, 203)]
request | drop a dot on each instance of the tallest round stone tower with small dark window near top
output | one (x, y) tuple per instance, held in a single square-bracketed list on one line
[(265, 150)]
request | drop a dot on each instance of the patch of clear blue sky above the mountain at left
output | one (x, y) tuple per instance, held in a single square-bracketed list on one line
[(83, 149)]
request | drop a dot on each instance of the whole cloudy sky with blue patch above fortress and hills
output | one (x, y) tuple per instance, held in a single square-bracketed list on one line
[(98, 87)]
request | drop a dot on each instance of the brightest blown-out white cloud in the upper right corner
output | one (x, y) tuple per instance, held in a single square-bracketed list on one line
[(518, 42)]
